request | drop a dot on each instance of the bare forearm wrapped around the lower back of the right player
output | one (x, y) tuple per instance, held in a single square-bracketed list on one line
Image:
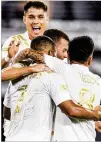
[(76, 111)]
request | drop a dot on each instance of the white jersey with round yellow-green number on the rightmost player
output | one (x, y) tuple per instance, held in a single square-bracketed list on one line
[(85, 89)]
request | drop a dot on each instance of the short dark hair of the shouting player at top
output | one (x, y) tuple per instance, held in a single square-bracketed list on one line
[(35, 4)]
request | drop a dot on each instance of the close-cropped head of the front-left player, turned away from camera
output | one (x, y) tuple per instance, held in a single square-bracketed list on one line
[(43, 44)]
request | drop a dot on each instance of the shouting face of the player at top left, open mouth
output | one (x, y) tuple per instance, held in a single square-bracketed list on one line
[(36, 22)]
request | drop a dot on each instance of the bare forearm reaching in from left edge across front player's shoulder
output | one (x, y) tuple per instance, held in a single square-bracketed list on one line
[(14, 73)]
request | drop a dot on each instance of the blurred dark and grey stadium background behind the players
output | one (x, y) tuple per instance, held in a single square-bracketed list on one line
[(73, 17)]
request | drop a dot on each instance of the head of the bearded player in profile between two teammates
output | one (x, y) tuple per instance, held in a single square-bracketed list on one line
[(61, 40)]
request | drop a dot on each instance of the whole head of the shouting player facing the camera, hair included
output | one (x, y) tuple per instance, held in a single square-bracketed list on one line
[(35, 18)]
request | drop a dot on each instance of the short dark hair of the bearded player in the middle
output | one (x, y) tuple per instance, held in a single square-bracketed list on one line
[(56, 34)]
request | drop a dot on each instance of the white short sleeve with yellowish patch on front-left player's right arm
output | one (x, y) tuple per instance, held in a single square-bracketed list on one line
[(58, 90)]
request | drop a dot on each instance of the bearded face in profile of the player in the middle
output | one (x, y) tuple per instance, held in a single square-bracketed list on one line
[(62, 47)]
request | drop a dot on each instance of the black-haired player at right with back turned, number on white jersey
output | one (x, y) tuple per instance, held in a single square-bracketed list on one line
[(84, 88)]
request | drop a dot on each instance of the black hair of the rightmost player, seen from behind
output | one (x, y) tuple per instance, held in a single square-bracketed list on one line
[(80, 48)]
